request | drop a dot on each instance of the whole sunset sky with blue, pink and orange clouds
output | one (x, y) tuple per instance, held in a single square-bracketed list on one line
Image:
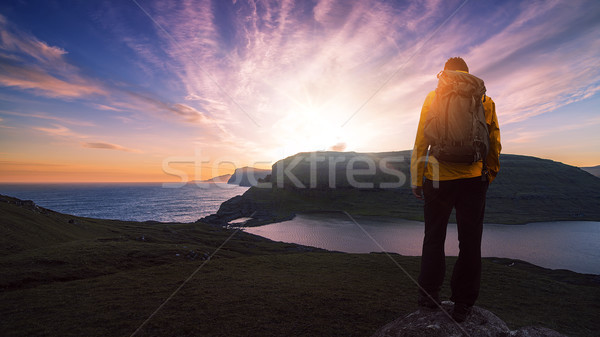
[(145, 90)]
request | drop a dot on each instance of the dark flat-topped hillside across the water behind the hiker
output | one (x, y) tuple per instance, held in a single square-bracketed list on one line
[(527, 189)]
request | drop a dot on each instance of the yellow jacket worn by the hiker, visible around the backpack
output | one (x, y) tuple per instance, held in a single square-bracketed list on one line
[(440, 171)]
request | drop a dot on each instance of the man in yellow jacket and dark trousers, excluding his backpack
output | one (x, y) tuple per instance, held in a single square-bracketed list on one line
[(446, 185)]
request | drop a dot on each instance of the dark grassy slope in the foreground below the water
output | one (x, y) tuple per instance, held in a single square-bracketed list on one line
[(98, 278)]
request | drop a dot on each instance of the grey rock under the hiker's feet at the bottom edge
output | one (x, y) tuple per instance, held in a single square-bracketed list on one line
[(437, 323)]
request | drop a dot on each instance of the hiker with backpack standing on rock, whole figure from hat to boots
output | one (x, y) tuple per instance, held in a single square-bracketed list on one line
[(455, 157)]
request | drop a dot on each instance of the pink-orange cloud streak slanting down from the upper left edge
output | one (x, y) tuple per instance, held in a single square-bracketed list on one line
[(30, 64)]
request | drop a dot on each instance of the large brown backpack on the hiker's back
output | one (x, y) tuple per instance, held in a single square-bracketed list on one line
[(455, 126)]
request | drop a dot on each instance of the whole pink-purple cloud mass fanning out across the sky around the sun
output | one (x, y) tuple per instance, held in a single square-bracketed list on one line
[(300, 69)]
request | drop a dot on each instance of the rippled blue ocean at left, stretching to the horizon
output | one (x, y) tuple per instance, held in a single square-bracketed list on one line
[(128, 201)]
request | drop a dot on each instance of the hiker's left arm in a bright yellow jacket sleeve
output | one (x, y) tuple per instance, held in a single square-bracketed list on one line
[(419, 155)]
